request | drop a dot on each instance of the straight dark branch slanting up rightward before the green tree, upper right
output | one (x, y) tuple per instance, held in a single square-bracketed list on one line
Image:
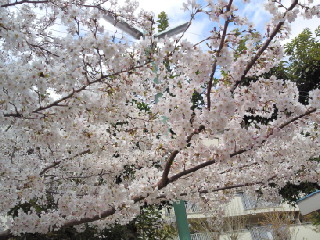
[(263, 48)]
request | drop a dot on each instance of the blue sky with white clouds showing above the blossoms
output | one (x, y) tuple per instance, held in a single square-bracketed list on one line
[(200, 28)]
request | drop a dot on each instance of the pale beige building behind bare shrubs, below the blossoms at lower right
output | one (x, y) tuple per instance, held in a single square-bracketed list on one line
[(250, 218)]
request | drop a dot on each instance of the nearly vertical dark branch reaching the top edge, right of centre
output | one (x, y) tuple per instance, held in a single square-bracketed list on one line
[(214, 66)]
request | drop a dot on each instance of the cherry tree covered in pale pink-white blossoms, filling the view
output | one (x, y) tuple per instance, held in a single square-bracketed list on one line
[(93, 127)]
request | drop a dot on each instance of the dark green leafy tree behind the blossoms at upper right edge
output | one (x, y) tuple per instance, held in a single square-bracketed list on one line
[(303, 67)]
